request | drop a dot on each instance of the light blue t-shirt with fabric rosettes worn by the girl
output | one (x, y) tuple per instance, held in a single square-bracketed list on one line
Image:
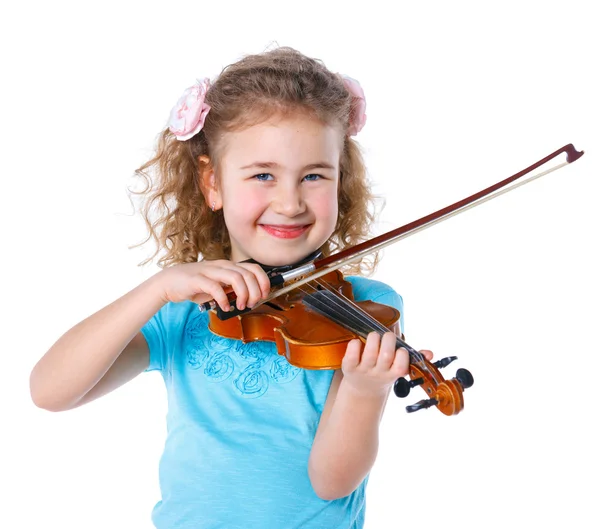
[(240, 425)]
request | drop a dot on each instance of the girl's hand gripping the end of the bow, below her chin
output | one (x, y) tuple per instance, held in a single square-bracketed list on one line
[(206, 280)]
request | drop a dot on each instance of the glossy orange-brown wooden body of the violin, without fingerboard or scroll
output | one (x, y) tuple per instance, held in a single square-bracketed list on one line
[(307, 340)]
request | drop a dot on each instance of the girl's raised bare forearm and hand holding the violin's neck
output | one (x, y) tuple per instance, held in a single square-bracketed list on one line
[(347, 439)]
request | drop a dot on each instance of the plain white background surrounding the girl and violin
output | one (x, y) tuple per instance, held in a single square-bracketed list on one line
[(459, 95)]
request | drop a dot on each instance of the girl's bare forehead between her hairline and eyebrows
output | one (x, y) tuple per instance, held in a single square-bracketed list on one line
[(285, 140)]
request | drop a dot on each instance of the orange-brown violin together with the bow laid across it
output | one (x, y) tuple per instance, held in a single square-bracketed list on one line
[(311, 314)]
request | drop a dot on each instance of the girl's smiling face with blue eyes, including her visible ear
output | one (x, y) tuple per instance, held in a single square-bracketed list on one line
[(278, 187)]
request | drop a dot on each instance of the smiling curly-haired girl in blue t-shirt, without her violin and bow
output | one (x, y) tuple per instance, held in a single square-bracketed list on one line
[(257, 166)]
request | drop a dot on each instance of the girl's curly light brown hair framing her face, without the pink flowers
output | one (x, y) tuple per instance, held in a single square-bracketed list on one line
[(247, 92)]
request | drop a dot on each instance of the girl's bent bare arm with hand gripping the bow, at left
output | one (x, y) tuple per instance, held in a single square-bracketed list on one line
[(107, 349)]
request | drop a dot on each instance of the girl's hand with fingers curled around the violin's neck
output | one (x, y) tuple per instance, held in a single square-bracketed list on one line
[(375, 370)]
